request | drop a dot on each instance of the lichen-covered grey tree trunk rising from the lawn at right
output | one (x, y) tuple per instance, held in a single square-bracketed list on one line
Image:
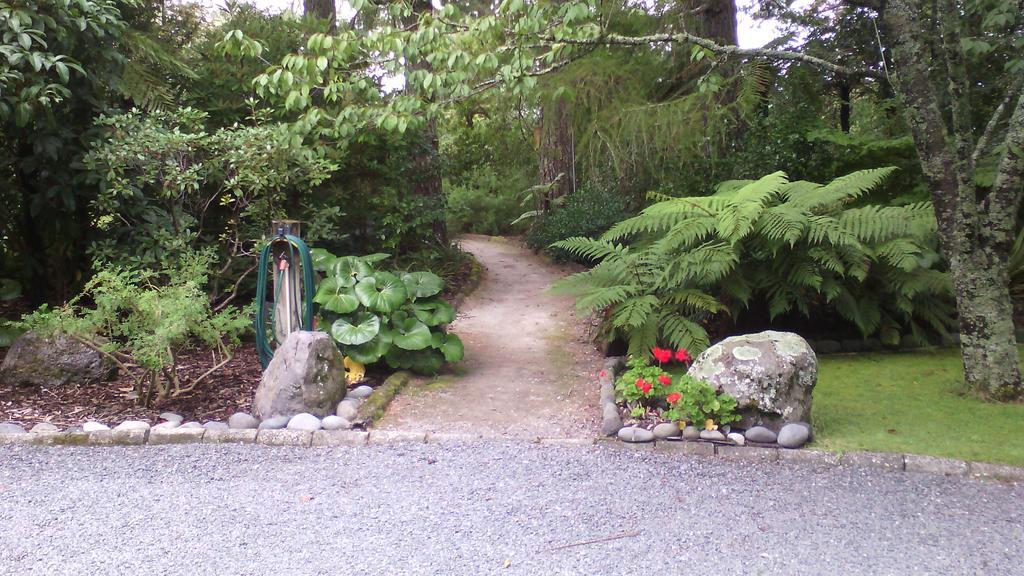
[(976, 227)]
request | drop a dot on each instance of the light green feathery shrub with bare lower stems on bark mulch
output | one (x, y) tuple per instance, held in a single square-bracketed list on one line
[(143, 320)]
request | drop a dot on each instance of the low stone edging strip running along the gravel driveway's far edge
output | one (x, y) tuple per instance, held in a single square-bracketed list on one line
[(780, 457)]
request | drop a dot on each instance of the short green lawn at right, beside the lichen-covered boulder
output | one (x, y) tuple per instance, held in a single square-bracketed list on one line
[(912, 402)]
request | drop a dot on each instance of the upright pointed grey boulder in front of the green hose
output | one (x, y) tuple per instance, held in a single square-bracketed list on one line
[(307, 375)]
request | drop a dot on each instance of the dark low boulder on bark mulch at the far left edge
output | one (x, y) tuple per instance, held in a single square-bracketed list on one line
[(53, 362)]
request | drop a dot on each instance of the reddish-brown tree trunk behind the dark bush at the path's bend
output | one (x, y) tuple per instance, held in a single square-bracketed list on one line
[(557, 151)]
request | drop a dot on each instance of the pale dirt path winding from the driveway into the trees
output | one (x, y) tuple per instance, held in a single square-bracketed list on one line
[(530, 371)]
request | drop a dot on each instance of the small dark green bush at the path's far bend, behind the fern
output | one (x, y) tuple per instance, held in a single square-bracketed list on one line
[(589, 211)]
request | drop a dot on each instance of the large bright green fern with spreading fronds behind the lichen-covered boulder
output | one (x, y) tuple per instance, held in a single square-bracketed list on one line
[(796, 246)]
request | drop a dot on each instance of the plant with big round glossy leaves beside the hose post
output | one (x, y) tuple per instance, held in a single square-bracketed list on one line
[(374, 315)]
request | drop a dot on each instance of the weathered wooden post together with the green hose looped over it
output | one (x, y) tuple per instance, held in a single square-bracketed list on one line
[(292, 308)]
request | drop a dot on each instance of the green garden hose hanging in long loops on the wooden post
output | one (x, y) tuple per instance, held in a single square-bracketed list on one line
[(300, 307)]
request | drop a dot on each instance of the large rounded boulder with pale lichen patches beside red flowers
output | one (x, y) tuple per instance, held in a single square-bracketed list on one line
[(772, 376)]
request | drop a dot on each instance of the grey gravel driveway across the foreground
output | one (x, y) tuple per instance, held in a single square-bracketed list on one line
[(487, 509)]
